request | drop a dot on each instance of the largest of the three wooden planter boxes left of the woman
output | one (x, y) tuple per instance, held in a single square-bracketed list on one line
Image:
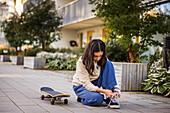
[(34, 62)]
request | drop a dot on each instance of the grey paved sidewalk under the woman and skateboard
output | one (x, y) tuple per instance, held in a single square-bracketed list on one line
[(19, 92)]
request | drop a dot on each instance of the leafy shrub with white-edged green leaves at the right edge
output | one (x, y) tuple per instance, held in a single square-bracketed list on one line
[(158, 79)]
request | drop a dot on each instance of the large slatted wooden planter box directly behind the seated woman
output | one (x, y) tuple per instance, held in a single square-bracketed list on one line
[(130, 75)]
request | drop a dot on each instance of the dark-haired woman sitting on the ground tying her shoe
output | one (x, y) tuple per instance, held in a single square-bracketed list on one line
[(94, 71)]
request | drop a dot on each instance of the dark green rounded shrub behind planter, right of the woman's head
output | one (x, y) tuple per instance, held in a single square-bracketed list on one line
[(116, 52)]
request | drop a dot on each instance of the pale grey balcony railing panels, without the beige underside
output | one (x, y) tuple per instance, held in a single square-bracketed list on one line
[(76, 11)]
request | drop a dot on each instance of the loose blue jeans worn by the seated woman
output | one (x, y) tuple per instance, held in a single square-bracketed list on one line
[(106, 80)]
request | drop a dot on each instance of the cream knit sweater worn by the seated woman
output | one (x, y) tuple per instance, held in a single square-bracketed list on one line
[(82, 77)]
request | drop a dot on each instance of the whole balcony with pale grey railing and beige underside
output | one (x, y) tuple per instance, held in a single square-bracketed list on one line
[(77, 15)]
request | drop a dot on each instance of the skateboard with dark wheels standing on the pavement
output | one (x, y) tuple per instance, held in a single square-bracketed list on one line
[(54, 95)]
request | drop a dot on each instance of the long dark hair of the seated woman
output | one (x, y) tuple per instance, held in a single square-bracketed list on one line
[(95, 45)]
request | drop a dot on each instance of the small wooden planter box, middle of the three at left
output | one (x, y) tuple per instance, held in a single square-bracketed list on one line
[(17, 60)]
